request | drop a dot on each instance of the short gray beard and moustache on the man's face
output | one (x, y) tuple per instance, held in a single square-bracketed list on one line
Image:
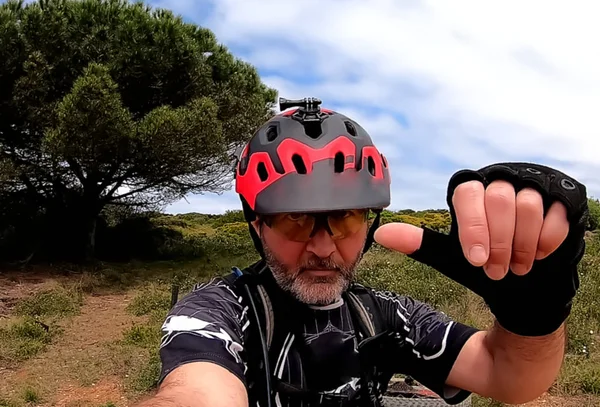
[(311, 289)]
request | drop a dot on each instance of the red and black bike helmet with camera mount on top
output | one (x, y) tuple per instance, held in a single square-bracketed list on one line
[(311, 159)]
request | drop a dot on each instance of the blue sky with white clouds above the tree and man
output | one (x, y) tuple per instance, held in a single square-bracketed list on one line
[(440, 86)]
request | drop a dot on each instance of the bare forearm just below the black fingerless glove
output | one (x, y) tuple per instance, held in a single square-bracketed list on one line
[(523, 367)]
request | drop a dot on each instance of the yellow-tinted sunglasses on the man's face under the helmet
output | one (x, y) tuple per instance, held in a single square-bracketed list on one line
[(301, 227)]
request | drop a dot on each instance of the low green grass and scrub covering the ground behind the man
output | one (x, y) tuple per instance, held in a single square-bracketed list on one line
[(189, 248)]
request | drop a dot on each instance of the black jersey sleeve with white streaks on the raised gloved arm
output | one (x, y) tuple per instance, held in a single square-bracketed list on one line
[(428, 342)]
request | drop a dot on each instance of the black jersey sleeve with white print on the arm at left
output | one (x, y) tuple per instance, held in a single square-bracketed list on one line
[(208, 324)]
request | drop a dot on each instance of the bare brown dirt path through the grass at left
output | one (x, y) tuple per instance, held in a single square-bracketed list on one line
[(78, 370)]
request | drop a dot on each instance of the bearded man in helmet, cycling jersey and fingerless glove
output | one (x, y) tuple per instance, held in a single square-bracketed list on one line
[(312, 186)]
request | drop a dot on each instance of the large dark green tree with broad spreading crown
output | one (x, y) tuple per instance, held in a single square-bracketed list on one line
[(112, 102)]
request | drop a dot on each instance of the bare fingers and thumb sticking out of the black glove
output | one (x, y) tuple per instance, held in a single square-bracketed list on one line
[(499, 228)]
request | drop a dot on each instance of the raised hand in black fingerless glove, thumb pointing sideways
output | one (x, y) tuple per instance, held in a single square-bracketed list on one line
[(516, 238)]
